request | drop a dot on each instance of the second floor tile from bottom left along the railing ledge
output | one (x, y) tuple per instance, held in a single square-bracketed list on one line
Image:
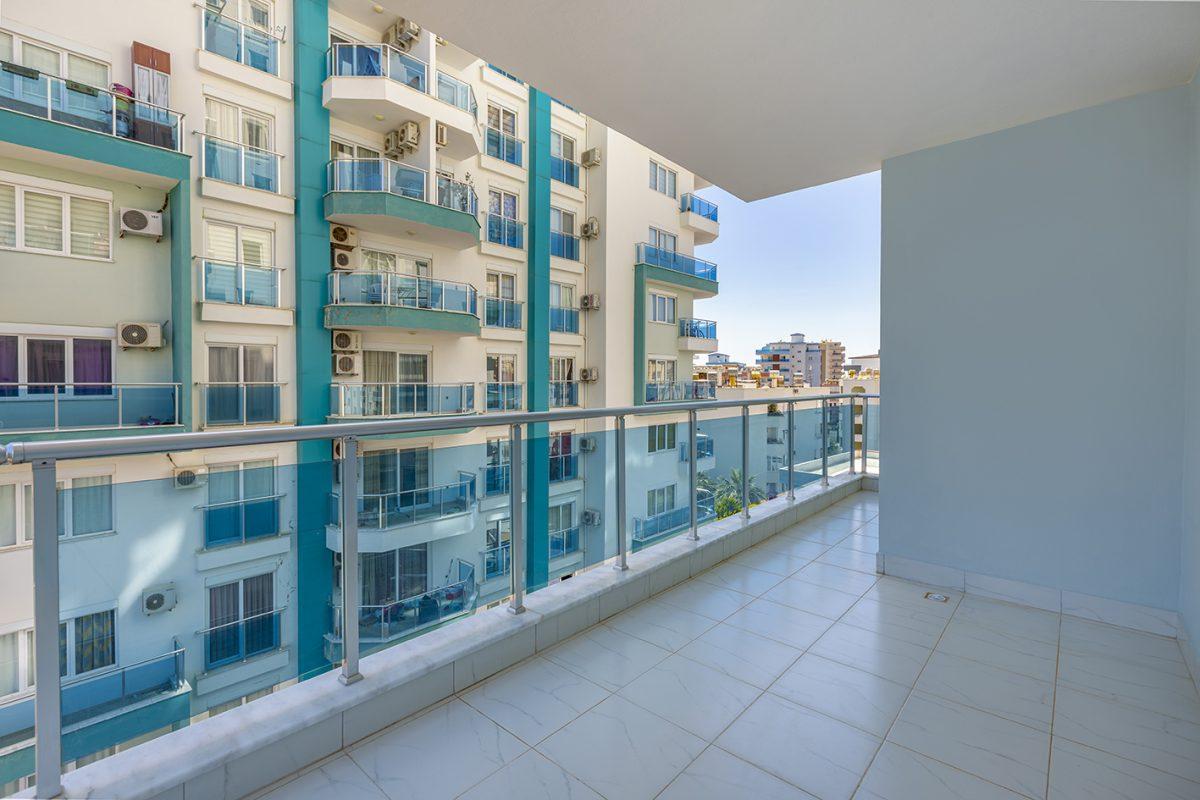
[(454, 745)]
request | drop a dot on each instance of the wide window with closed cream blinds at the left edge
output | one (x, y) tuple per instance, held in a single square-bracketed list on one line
[(58, 222)]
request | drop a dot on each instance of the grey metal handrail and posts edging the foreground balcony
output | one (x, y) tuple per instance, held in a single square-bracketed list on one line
[(241, 639)]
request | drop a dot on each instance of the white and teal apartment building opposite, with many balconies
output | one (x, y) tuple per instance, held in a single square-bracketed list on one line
[(200, 231)]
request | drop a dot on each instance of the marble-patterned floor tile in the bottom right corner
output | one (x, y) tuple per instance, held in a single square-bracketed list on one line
[(1081, 773)]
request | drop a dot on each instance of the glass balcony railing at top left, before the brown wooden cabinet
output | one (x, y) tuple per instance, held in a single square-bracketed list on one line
[(68, 103)]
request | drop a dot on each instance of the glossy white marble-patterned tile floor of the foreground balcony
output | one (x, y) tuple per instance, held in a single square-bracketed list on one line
[(794, 671)]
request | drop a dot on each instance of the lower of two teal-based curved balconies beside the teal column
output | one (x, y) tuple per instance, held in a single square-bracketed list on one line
[(403, 302)]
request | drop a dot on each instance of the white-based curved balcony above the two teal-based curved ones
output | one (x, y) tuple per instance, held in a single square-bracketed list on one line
[(379, 88)]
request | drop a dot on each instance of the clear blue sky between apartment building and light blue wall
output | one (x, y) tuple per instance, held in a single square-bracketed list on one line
[(801, 263)]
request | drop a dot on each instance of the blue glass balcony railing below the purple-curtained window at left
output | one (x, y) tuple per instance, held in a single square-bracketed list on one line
[(80, 407)]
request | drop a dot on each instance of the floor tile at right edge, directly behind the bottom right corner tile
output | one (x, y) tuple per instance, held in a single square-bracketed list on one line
[(1145, 737)]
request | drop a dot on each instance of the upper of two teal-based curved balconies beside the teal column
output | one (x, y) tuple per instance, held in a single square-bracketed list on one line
[(387, 197)]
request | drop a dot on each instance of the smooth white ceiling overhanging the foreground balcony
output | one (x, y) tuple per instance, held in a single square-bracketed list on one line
[(769, 97)]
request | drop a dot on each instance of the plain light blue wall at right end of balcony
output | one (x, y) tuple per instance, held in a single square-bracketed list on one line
[(1051, 258)]
